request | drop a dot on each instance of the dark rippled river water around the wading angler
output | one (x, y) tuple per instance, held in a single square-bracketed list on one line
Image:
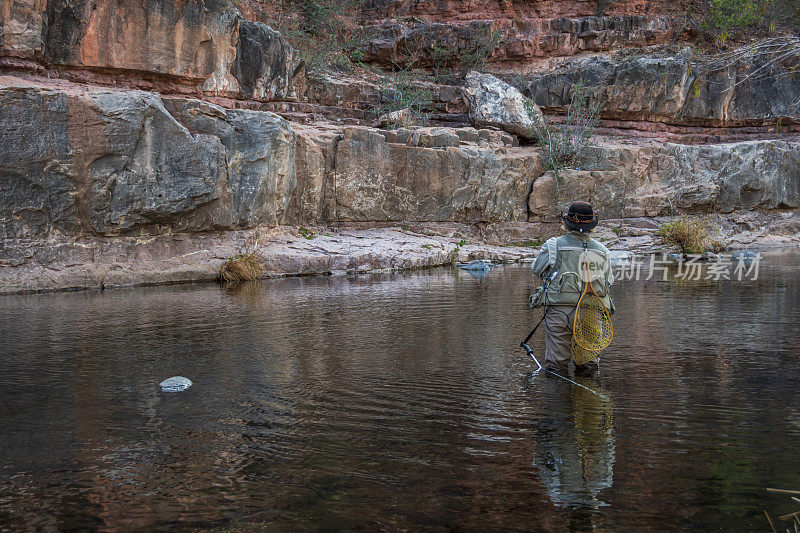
[(397, 401)]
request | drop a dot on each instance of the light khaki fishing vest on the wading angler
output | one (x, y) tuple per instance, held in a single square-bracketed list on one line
[(567, 258)]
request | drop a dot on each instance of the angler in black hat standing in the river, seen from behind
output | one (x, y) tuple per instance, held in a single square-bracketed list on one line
[(561, 265)]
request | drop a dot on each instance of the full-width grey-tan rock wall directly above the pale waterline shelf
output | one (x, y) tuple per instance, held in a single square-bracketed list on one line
[(117, 162)]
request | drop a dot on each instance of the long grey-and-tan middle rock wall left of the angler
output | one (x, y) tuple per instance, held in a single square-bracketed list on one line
[(112, 162)]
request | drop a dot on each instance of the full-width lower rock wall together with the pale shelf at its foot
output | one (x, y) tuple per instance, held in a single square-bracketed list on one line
[(116, 187)]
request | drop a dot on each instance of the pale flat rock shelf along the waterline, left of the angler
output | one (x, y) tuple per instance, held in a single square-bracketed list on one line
[(106, 262)]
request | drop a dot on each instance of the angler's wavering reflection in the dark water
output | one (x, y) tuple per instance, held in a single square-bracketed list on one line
[(575, 443)]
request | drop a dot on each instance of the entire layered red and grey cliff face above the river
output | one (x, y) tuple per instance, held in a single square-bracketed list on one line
[(144, 141)]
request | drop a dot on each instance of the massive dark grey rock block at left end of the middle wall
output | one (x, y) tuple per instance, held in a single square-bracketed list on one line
[(103, 162)]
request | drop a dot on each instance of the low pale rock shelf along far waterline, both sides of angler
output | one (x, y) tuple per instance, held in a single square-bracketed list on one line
[(105, 262)]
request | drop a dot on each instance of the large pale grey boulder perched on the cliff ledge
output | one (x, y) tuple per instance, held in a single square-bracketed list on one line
[(494, 103)]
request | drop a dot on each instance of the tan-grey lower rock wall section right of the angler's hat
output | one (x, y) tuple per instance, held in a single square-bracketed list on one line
[(656, 180)]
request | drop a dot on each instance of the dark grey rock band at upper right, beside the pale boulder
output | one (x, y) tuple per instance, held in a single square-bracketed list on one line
[(749, 88)]
